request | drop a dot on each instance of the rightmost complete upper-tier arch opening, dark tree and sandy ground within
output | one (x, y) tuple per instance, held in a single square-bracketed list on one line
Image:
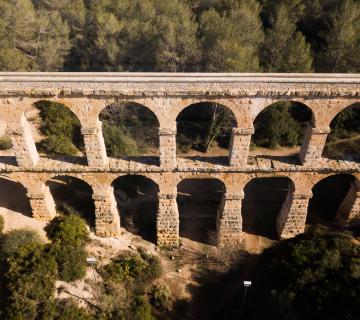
[(279, 130)]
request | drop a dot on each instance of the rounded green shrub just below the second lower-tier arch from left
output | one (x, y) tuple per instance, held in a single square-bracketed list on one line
[(68, 230)]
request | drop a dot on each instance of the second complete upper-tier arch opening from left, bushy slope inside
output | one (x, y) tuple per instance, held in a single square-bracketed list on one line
[(130, 131)]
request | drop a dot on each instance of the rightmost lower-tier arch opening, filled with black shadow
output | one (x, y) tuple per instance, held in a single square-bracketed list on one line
[(328, 195)]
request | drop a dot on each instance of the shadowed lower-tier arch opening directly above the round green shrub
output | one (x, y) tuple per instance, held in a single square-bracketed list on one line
[(73, 195)]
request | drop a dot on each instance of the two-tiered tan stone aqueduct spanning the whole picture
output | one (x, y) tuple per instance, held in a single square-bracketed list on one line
[(166, 95)]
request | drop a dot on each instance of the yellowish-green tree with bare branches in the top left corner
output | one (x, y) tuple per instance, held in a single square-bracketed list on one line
[(31, 39)]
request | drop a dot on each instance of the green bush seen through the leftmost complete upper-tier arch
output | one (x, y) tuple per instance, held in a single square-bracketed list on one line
[(61, 128)]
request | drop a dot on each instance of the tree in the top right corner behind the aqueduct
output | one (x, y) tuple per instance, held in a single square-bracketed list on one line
[(342, 50)]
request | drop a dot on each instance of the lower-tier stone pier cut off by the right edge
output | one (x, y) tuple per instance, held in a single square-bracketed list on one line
[(349, 210)]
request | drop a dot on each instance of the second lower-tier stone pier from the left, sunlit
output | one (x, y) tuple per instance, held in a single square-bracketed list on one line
[(107, 218)]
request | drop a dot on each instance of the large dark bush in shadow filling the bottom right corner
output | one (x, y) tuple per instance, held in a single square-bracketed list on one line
[(313, 276)]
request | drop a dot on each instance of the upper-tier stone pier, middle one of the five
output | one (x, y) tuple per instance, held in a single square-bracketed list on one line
[(167, 146)]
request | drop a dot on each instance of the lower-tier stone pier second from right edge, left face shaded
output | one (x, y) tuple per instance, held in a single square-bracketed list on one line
[(292, 217)]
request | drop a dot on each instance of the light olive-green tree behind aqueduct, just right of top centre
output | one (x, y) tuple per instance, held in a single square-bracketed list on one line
[(231, 39)]
